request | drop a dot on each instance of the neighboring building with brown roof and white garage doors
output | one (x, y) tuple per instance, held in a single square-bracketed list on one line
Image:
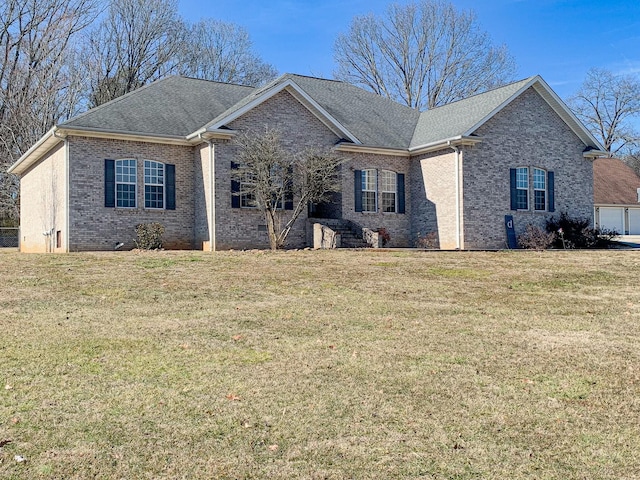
[(616, 196)]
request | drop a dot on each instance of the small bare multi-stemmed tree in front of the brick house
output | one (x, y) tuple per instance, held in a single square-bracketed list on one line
[(270, 178)]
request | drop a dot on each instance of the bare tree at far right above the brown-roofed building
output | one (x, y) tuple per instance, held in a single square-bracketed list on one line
[(606, 104)]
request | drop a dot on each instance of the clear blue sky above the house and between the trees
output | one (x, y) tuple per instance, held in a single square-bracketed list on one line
[(558, 39)]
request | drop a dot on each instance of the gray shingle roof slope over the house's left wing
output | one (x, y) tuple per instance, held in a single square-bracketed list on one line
[(174, 106)]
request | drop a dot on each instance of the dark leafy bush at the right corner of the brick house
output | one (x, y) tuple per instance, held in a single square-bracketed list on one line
[(578, 233)]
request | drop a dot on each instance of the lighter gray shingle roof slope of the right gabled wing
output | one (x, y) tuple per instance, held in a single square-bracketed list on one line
[(458, 117)]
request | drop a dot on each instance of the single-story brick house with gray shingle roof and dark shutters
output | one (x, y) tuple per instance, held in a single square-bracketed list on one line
[(164, 153)]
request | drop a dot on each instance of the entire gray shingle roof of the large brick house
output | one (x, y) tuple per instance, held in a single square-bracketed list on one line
[(179, 106)]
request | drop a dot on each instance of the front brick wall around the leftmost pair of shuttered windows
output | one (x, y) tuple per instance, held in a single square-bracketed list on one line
[(95, 227)]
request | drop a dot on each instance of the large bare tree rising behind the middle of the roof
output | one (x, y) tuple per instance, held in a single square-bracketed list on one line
[(422, 54)]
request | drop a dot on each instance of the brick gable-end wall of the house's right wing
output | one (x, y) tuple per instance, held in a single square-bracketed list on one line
[(525, 133)]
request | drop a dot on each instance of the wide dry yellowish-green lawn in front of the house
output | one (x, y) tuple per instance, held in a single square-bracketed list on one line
[(320, 364)]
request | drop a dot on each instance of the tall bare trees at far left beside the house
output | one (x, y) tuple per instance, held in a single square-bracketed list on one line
[(38, 86)]
